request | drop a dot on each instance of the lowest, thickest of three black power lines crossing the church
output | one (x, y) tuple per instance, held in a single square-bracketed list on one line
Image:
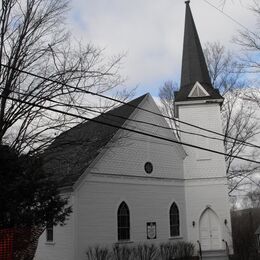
[(130, 130)]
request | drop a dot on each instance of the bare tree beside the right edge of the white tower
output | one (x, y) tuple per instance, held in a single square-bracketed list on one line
[(240, 123)]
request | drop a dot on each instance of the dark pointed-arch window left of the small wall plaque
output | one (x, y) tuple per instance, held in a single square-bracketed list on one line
[(123, 222)]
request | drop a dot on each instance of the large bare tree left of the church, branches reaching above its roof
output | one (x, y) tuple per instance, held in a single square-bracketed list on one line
[(33, 38)]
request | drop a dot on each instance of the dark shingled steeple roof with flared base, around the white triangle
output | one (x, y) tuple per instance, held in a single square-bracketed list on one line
[(194, 67)]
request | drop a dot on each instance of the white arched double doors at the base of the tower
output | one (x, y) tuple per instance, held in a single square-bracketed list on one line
[(209, 229)]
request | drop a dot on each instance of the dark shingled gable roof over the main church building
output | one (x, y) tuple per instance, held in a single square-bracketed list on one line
[(72, 152)]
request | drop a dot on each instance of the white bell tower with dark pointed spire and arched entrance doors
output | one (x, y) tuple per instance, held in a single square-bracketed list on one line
[(198, 103)]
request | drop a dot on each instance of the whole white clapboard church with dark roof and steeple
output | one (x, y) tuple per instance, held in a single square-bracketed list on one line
[(122, 184)]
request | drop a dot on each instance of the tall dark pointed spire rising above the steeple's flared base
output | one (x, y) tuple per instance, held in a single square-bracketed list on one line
[(194, 66)]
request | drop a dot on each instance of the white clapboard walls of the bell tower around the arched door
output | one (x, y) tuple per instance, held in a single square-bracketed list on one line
[(205, 173)]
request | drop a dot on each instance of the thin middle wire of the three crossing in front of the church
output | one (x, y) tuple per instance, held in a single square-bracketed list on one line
[(121, 117)]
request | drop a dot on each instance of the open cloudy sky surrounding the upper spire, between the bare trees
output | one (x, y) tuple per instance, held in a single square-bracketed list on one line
[(150, 33)]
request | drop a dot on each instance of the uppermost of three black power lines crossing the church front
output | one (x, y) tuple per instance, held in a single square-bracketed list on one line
[(125, 103)]
